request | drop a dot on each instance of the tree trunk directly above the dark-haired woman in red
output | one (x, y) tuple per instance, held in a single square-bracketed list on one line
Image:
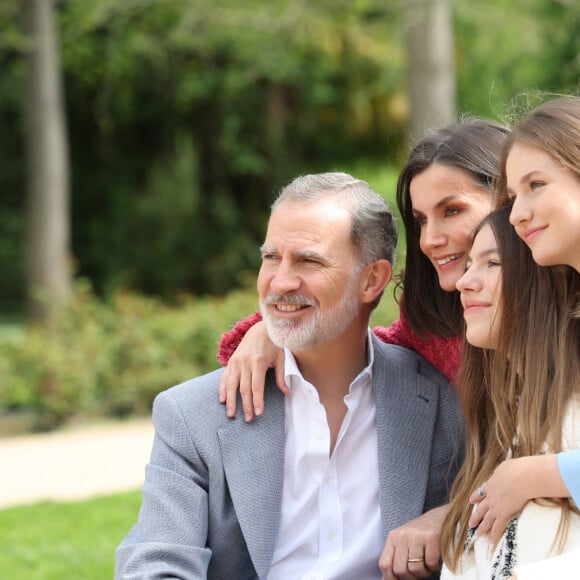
[(431, 68)]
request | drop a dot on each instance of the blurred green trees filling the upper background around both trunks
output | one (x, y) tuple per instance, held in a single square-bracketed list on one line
[(186, 116)]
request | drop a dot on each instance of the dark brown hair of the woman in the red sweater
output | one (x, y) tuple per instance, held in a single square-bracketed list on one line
[(473, 146)]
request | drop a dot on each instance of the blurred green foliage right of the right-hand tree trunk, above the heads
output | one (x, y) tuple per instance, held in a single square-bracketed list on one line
[(508, 47)]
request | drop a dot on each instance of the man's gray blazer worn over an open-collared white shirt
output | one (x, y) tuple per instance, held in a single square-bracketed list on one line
[(213, 488)]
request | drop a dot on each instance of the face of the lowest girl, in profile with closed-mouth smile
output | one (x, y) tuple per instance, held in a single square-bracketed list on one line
[(480, 288)]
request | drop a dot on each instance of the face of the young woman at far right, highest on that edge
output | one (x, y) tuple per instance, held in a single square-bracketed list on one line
[(546, 205)]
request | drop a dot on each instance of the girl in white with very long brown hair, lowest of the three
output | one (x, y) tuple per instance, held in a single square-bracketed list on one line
[(520, 381)]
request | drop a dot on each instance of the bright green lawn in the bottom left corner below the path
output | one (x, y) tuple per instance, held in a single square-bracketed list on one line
[(65, 541)]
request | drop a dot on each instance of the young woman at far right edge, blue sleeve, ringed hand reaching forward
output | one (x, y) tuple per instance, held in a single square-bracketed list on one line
[(540, 178)]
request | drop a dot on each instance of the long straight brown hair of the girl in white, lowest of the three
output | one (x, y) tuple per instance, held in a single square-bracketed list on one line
[(515, 398)]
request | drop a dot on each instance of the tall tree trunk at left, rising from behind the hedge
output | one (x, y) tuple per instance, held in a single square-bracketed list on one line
[(48, 268)]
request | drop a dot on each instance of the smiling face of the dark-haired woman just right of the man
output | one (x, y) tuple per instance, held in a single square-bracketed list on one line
[(447, 204)]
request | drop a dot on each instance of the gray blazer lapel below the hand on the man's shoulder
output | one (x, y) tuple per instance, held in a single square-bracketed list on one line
[(253, 460)]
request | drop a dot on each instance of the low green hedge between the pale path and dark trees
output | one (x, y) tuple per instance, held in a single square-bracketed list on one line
[(111, 359)]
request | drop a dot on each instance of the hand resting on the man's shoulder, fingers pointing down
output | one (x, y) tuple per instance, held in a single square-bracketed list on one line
[(246, 371)]
